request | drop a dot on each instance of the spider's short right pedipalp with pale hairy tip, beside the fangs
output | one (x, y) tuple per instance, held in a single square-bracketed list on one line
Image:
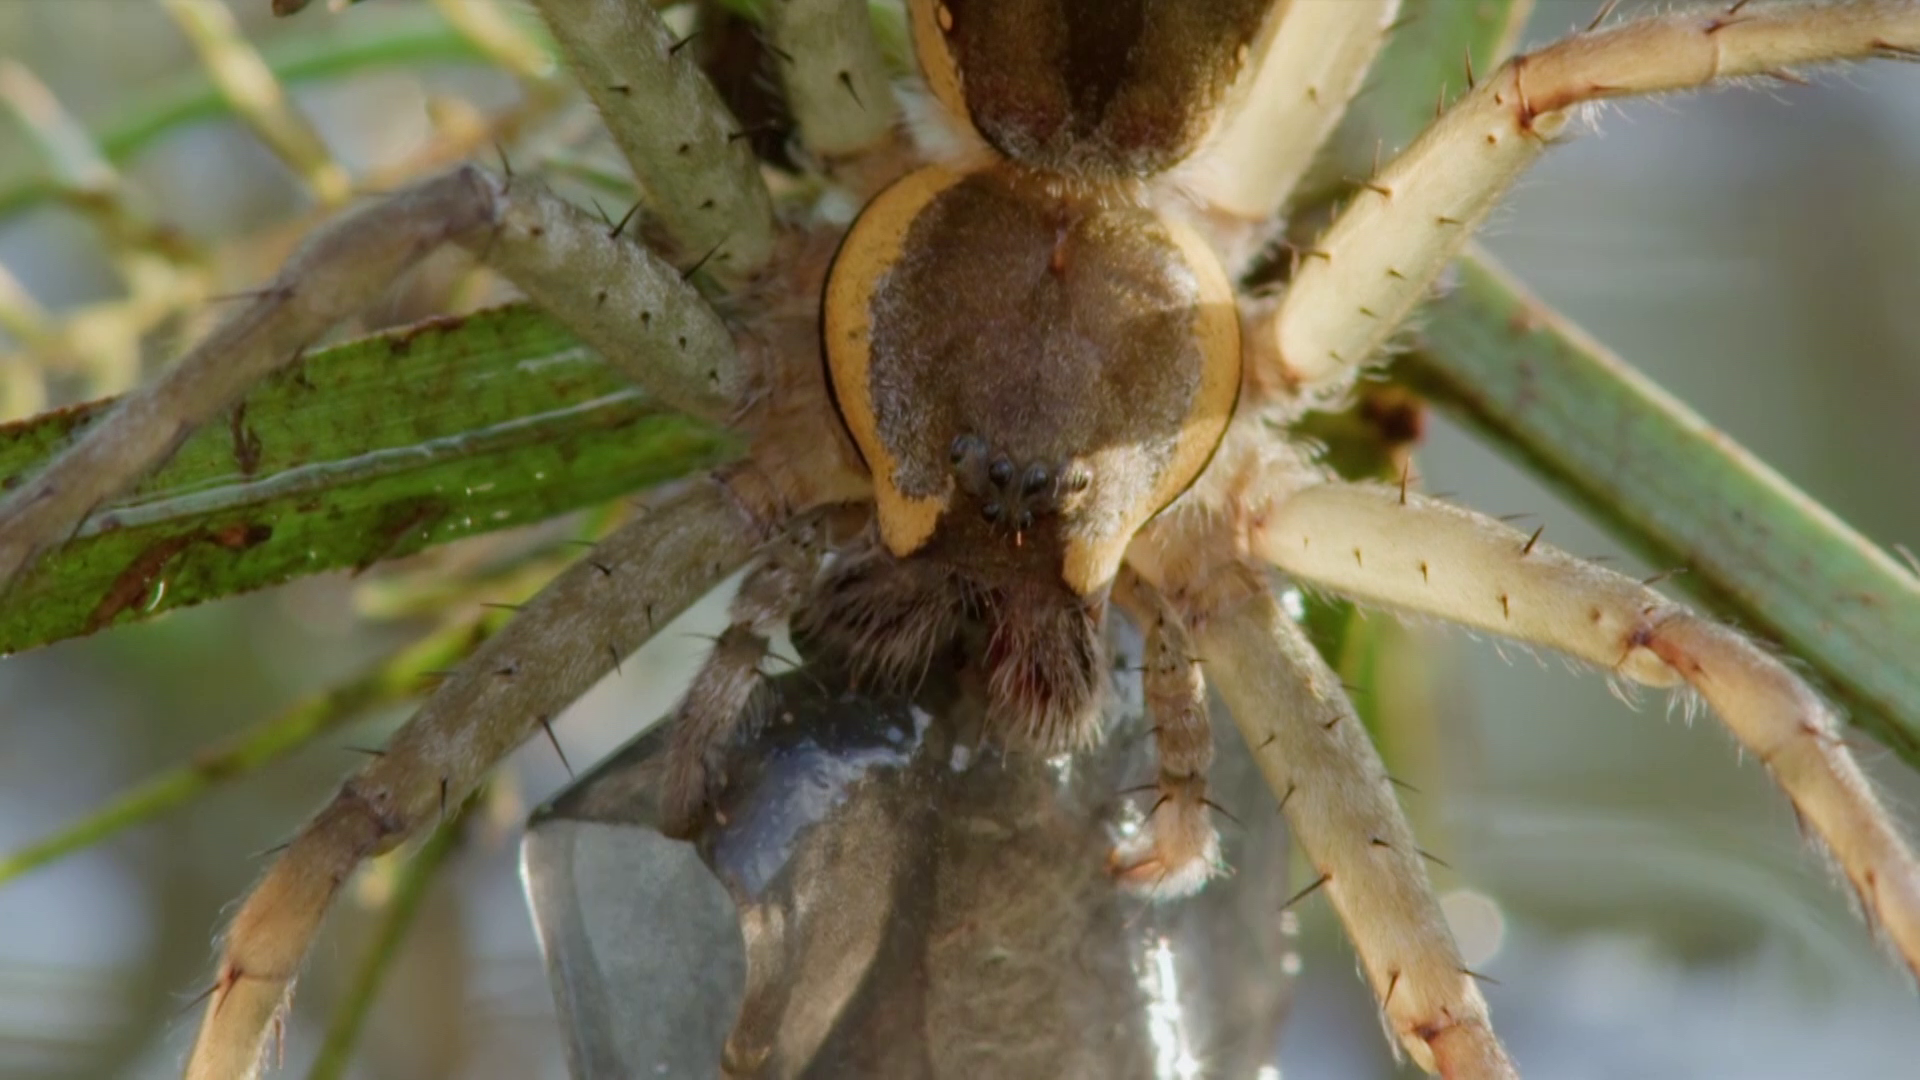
[(1178, 850)]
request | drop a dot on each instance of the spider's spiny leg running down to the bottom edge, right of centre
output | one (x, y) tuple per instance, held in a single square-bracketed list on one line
[(1341, 808)]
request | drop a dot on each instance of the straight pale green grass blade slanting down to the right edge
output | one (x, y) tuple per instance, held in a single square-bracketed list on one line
[(1679, 491)]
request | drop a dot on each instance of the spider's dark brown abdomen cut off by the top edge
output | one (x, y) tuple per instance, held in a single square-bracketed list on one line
[(1111, 87)]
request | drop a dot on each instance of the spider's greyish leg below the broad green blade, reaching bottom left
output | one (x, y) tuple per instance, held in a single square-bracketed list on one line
[(564, 641)]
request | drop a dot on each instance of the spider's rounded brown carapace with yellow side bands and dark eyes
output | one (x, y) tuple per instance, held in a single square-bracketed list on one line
[(1032, 370)]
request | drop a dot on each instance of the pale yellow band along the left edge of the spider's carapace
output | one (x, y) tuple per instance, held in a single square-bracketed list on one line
[(865, 260)]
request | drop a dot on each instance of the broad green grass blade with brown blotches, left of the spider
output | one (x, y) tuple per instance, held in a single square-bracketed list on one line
[(368, 451)]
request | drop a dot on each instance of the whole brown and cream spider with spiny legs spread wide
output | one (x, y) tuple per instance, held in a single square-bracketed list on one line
[(1026, 376)]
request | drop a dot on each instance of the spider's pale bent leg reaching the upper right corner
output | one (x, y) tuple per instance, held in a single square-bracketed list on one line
[(1381, 257)]
